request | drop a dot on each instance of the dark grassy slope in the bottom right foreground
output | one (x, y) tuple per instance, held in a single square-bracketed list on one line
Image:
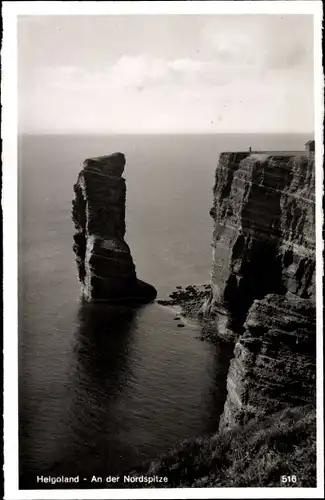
[(256, 455)]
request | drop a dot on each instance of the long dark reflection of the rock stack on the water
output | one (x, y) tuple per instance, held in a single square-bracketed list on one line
[(101, 372)]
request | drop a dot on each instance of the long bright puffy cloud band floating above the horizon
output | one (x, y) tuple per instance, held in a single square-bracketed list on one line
[(135, 72)]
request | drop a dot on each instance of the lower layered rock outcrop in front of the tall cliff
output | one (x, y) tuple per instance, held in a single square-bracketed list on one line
[(274, 361)]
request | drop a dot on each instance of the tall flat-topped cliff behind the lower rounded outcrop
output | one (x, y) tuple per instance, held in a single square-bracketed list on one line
[(263, 240)]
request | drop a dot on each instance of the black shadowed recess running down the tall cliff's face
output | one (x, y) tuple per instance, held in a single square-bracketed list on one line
[(261, 267)]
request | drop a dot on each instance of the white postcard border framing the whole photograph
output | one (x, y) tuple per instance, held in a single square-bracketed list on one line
[(11, 10)]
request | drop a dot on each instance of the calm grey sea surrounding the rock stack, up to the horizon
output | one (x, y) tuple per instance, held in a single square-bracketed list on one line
[(103, 388)]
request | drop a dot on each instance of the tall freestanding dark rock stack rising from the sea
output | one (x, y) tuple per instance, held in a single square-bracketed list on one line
[(105, 265)]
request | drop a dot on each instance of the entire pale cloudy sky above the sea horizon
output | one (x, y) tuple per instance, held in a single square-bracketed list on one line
[(165, 74)]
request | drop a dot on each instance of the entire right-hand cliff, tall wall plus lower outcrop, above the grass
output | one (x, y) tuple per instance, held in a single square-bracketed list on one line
[(263, 280)]
